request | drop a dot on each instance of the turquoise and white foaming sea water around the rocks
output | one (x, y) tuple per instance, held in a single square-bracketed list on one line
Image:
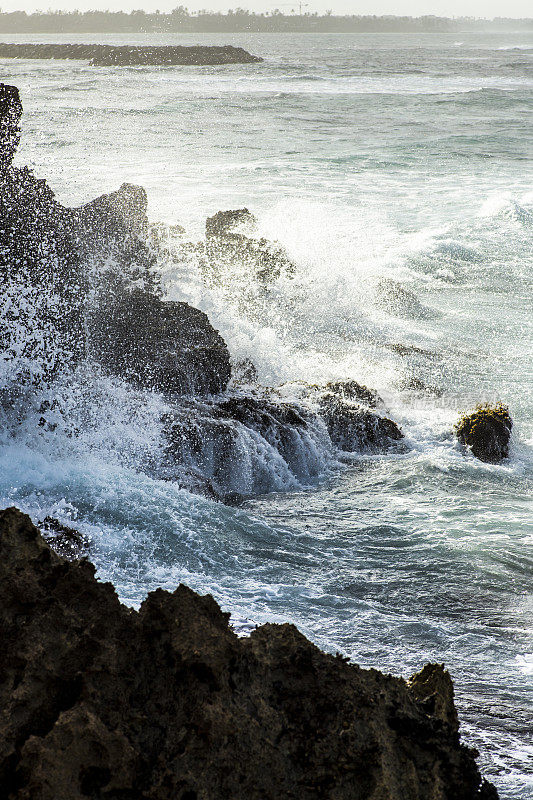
[(370, 157)]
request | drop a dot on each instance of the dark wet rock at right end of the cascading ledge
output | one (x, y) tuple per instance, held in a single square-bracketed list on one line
[(353, 428)]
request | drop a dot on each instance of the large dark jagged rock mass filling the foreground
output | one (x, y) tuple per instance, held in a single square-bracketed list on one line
[(104, 702)]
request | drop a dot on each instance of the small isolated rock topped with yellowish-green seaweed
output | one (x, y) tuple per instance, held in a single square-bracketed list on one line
[(486, 432)]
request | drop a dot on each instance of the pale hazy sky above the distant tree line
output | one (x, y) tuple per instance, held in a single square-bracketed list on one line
[(448, 8)]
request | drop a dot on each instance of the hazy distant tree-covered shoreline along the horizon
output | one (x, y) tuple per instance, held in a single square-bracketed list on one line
[(240, 20)]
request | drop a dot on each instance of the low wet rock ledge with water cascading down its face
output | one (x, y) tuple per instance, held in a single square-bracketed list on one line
[(235, 447)]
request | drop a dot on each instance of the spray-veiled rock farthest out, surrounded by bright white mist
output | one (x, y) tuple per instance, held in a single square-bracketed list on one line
[(230, 244)]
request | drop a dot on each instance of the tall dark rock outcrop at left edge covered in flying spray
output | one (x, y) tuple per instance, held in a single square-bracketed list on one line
[(81, 283)]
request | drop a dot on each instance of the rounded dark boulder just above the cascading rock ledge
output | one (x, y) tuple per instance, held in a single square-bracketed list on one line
[(161, 345)]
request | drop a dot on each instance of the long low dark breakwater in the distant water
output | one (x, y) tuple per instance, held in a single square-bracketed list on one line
[(101, 55)]
